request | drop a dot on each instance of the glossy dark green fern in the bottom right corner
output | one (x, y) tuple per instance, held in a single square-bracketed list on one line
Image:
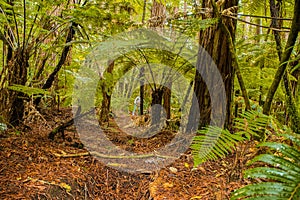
[(283, 173)]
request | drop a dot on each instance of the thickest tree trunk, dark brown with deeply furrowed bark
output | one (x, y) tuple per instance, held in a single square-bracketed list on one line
[(215, 43)]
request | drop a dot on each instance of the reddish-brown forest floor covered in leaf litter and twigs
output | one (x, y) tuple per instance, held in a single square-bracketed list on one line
[(34, 167)]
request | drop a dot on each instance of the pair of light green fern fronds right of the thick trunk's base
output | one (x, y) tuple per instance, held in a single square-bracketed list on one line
[(213, 143)]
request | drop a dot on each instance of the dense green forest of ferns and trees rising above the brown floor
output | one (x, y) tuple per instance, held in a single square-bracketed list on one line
[(151, 49)]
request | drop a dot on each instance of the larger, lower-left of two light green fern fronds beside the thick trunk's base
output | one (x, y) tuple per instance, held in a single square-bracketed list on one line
[(212, 143)]
